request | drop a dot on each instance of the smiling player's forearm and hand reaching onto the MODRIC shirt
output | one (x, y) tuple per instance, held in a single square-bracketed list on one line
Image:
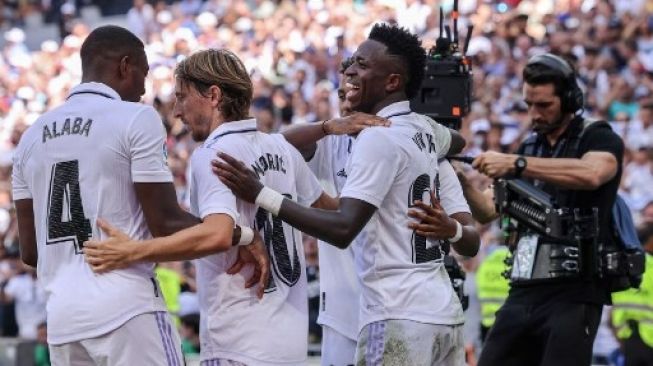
[(338, 227)]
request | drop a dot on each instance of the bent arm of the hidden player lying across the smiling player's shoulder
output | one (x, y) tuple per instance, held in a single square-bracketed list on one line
[(304, 137)]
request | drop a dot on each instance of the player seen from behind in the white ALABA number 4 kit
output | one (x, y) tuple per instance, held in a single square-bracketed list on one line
[(100, 154)]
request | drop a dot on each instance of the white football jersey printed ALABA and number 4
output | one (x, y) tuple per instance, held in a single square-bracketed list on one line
[(79, 162)]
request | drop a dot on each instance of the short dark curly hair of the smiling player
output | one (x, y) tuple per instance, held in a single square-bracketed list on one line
[(407, 46)]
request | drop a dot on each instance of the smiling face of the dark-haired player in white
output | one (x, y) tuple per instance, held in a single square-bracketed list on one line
[(369, 80)]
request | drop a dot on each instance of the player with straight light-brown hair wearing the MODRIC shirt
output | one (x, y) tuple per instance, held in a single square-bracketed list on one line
[(214, 92)]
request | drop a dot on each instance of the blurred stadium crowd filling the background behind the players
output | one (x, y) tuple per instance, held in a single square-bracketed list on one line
[(293, 50)]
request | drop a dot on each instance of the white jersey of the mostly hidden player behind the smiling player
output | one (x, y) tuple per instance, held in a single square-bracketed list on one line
[(339, 285)]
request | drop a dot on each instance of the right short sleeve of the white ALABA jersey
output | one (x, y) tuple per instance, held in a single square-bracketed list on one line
[(147, 150)]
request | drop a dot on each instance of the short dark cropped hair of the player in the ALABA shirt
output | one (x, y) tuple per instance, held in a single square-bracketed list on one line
[(109, 42)]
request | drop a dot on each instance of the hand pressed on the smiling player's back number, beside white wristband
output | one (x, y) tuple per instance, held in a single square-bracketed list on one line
[(432, 221)]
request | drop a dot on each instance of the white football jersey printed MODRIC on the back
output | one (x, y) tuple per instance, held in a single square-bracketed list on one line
[(235, 324)]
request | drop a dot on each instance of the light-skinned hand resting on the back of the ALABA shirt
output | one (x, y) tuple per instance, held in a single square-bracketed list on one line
[(116, 252)]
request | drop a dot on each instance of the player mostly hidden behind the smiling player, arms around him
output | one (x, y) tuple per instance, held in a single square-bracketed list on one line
[(339, 287)]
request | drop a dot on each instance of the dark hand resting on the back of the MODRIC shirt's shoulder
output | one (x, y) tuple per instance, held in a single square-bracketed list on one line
[(242, 181)]
